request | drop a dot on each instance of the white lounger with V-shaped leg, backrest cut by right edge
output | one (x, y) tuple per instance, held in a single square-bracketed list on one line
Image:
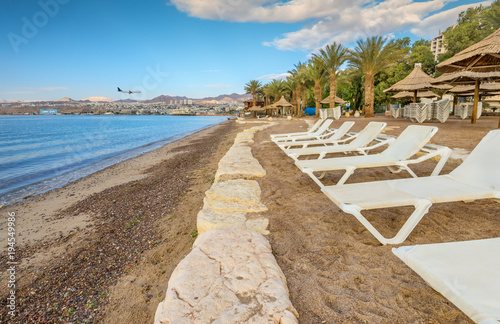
[(476, 178)]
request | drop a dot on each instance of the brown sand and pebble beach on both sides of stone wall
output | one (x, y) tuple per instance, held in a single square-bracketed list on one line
[(102, 249)]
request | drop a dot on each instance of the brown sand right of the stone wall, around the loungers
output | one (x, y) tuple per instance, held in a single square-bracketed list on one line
[(337, 272)]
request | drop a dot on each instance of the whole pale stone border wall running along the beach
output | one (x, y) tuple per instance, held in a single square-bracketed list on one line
[(231, 275)]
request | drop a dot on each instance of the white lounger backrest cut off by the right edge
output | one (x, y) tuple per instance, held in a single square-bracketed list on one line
[(482, 164)]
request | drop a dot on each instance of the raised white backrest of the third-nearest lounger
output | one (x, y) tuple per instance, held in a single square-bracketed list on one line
[(409, 142)]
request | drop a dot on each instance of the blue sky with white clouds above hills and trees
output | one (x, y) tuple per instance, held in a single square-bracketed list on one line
[(50, 49)]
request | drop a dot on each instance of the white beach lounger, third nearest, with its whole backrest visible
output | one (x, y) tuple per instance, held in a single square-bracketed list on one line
[(399, 153)]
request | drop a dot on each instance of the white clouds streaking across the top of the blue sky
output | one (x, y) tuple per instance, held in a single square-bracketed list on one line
[(334, 20)]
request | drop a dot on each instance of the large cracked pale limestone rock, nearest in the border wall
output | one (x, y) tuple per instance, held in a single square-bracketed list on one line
[(230, 276)]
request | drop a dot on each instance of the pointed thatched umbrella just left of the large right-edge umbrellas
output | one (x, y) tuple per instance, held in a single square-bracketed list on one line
[(416, 81)]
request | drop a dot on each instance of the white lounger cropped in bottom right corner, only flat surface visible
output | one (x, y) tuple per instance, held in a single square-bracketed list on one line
[(466, 273)]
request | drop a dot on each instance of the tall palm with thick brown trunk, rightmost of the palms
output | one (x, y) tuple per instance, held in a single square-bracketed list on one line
[(372, 56)]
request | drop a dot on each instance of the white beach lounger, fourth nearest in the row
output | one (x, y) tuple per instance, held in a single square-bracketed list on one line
[(360, 143)]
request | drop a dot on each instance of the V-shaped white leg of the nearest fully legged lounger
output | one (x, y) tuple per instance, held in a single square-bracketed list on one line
[(421, 208)]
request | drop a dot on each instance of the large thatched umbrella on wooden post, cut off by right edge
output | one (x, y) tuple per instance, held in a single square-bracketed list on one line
[(482, 57)]
